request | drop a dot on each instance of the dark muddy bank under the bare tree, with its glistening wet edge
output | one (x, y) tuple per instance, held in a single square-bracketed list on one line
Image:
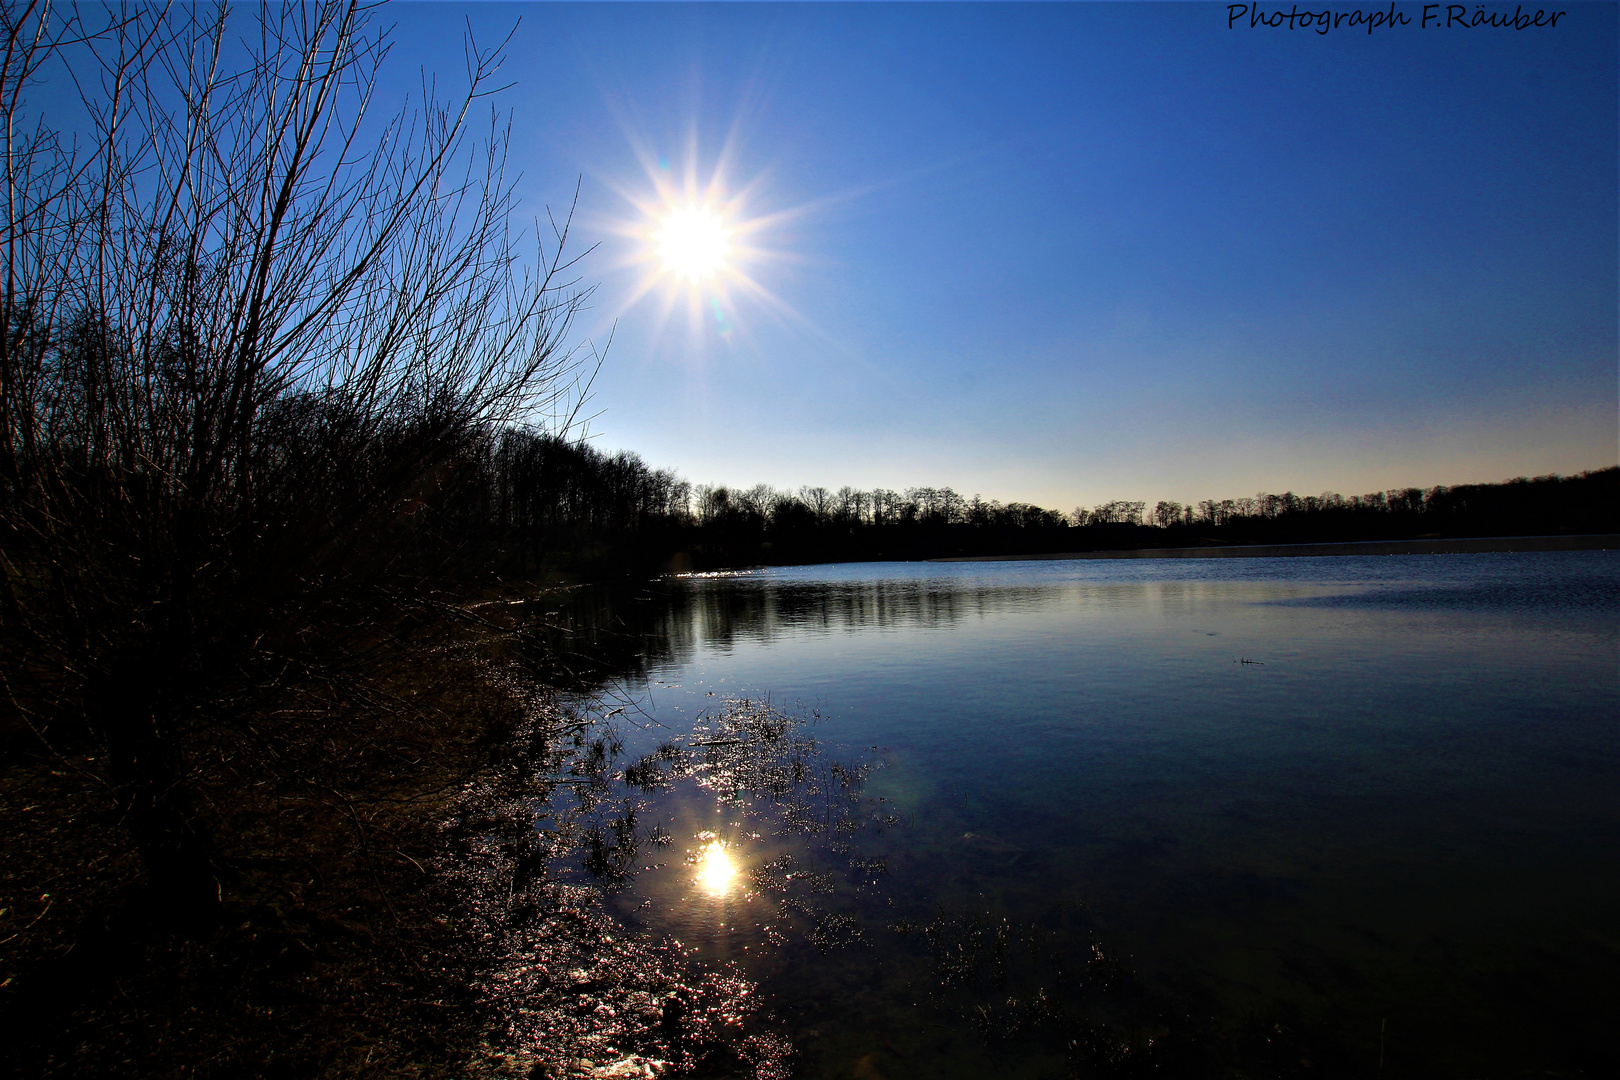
[(388, 911)]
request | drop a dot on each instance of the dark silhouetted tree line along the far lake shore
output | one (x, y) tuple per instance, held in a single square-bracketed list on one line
[(565, 506)]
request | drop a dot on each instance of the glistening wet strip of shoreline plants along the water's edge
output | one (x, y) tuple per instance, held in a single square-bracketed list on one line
[(576, 993)]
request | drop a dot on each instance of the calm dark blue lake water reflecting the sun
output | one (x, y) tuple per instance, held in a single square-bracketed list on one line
[(1318, 817)]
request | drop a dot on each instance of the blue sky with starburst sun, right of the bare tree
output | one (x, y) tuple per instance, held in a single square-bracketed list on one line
[(1070, 253)]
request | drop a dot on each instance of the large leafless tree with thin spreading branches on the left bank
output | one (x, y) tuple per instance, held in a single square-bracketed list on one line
[(252, 333)]
